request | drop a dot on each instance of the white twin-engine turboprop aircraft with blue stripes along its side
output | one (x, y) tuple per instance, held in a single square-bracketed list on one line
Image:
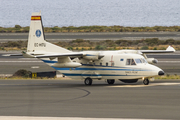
[(125, 65)]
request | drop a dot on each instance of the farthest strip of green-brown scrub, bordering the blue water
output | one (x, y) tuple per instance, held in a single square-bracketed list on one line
[(56, 29)]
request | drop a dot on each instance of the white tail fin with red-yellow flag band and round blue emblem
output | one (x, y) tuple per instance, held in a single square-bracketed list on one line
[(36, 42)]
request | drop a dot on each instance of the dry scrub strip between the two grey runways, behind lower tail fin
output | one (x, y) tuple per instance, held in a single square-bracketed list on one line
[(80, 44)]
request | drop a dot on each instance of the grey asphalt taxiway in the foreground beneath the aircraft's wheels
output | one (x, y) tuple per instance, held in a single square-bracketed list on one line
[(68, 98)]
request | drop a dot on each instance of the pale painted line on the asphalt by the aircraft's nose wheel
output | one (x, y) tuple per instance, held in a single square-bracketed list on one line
[(151, 84)]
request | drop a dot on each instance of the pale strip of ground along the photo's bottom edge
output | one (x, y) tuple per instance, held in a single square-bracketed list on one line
[(62, 118)]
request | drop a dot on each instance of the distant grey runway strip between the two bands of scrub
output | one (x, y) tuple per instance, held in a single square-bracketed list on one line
[(55, 37)]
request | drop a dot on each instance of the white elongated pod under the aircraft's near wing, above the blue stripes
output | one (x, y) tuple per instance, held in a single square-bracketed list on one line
[(65, 65)]
